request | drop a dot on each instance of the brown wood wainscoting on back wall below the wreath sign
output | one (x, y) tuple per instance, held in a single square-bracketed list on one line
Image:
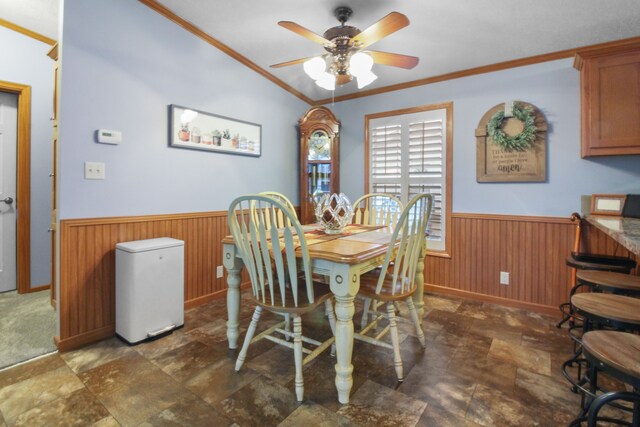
[(531, 249)]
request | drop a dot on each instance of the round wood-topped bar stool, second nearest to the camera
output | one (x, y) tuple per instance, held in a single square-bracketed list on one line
[(598, 311)]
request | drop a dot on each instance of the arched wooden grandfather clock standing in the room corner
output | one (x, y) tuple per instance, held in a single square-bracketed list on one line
[(319, 159)]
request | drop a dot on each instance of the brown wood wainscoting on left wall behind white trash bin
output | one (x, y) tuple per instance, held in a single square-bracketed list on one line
[(87, 266)]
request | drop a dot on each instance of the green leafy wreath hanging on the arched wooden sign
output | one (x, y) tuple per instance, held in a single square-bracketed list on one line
[(520, 142)]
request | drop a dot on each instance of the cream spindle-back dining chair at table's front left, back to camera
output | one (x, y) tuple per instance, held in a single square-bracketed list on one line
[(279, 268)]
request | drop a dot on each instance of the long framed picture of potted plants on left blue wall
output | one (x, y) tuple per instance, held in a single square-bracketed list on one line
[(200, 130)]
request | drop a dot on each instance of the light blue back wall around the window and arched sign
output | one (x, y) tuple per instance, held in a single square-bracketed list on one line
[(554, 88)]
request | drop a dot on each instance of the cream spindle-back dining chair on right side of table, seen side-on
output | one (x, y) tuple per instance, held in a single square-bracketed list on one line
[(395, 279)]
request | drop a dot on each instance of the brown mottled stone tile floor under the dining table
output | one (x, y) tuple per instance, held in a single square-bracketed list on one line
[(484, 365)]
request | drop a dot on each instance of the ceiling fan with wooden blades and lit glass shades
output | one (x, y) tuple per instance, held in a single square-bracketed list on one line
[(346, 57)]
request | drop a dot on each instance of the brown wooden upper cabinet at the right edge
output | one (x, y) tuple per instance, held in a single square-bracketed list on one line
[(610, 100)]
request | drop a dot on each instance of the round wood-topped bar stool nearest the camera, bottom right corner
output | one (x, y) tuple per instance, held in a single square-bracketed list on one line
[(616, 354)]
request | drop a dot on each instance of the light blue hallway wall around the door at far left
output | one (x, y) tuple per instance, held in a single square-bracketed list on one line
[(25, 61)]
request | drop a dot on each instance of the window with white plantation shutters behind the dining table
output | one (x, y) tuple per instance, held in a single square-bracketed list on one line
[(407, 156)]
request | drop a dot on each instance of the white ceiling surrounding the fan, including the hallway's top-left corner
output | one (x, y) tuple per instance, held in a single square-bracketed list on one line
[(447, 35)]
